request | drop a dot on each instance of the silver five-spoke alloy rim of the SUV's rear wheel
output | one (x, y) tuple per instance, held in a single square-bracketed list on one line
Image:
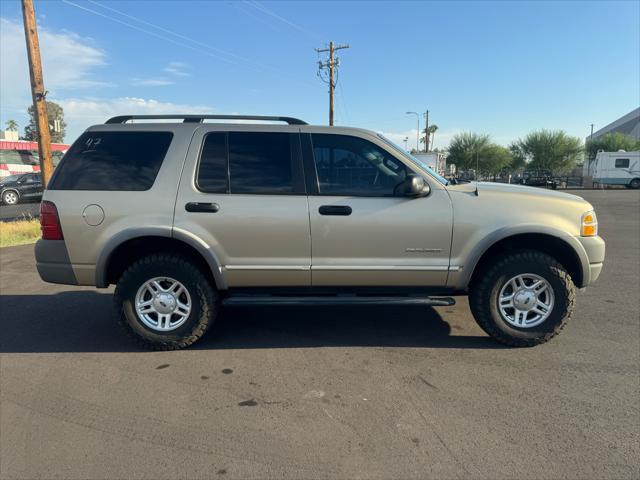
[(163, 304)]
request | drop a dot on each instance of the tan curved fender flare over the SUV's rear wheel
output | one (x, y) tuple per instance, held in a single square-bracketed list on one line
[(167, 232)]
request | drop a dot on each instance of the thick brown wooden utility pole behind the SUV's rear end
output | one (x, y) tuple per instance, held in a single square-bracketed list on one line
[(38, 92)]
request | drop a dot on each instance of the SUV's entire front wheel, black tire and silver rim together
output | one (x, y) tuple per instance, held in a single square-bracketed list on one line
[(523, 299)]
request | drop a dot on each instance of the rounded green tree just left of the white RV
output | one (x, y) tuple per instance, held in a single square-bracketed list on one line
[(551, 149)]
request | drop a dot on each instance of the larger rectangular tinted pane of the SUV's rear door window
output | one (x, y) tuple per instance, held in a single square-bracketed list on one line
[(260, 162)]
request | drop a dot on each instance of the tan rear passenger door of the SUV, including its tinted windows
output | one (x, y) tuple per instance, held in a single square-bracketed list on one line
[(242, 192)]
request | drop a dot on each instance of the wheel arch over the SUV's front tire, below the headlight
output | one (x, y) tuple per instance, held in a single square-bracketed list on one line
[(566, 250)]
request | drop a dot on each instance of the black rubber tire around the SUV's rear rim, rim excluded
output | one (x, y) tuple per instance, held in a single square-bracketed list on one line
[(204, 300)]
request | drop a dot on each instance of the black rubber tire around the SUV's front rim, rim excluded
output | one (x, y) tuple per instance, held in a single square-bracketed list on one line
[(485, 289)]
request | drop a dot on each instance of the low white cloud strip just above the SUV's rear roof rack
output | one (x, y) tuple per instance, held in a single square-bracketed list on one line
[(81, 113)]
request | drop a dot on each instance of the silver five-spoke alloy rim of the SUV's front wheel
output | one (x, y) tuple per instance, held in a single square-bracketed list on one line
[(526, 300)]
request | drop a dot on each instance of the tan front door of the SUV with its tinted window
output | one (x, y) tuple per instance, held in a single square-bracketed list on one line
[(364, 232)]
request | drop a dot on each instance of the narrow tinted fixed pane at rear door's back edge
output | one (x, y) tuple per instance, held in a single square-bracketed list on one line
[(212, 173)]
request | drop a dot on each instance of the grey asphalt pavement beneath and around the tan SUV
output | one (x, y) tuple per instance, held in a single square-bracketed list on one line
[(323, 392)]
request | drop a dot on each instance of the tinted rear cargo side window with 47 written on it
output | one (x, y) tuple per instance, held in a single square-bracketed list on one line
[(127, 161)]
